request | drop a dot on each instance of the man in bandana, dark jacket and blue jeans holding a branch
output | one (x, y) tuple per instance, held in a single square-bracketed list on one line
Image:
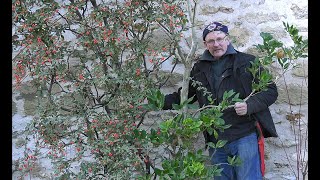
[(222, 68)]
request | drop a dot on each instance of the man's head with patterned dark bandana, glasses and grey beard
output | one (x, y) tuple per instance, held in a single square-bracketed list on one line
[(215, 38)]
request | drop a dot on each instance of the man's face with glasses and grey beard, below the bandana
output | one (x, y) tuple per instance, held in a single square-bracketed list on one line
[(217, 43)]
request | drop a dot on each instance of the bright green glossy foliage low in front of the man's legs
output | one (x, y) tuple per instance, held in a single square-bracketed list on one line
[(179, 133)]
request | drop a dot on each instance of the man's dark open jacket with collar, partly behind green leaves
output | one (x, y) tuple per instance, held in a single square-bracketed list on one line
[(235, 75)]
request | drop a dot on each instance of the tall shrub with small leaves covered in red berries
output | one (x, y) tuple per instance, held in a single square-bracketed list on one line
[(93, 64)]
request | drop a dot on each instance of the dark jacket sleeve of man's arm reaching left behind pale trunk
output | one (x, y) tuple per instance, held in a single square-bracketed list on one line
[(174, 98)]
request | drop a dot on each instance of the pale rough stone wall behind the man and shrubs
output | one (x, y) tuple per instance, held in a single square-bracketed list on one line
[(246, 19)]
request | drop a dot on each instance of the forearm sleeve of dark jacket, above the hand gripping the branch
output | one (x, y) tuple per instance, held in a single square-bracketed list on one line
[(263, 99)]
